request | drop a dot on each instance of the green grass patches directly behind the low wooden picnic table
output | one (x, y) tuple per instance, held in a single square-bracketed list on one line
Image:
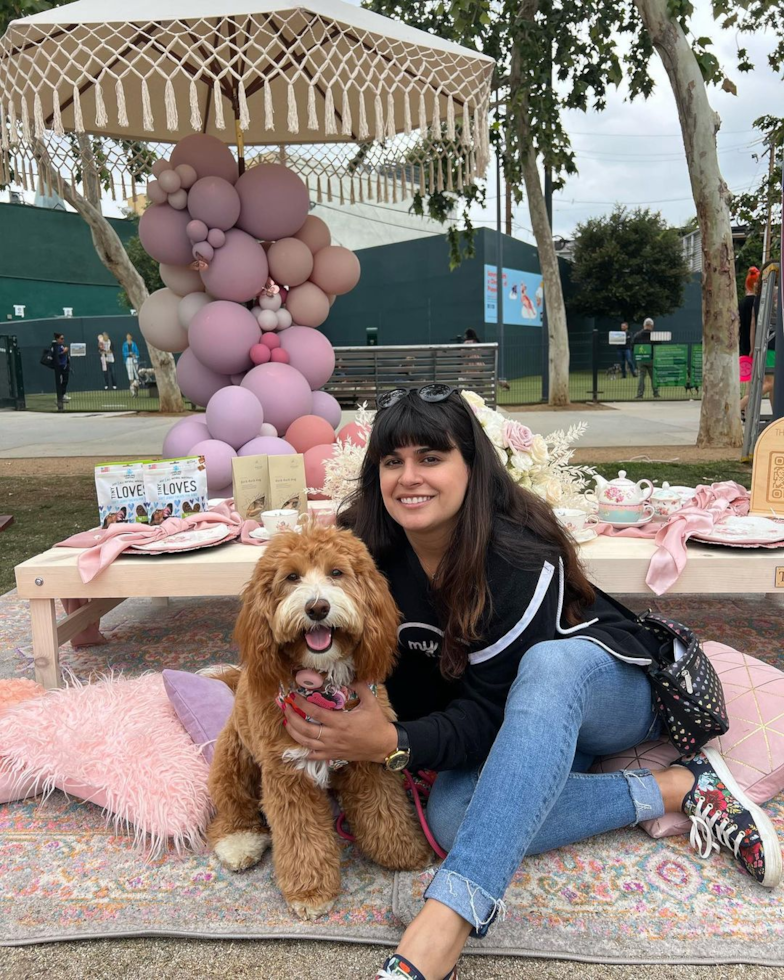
[(48, 508)]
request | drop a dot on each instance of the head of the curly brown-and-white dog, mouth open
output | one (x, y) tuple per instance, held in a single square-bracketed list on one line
[(317, 600)]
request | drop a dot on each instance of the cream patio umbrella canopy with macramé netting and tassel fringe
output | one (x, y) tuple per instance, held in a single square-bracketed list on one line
[(258, 72)]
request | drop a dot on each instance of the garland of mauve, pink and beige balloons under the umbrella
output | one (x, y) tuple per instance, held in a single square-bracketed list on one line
[(249, 277)]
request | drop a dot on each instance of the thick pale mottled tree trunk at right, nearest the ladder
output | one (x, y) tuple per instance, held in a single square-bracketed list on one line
[(720, 423)]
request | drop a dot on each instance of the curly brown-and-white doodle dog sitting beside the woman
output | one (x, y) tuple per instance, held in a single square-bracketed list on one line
[(316, 602)]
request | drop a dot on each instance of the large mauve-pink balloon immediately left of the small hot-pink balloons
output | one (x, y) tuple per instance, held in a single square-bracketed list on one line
[(221, 335)]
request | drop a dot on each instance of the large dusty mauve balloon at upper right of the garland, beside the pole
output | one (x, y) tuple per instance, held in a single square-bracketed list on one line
[(275, 201)]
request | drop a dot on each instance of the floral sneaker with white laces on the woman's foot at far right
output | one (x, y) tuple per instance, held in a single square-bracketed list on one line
[(721, 814)]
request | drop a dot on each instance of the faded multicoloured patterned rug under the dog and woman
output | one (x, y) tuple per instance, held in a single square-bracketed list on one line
[(622, 897)]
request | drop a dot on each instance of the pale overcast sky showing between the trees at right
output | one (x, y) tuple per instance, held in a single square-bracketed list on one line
[(632, 153)]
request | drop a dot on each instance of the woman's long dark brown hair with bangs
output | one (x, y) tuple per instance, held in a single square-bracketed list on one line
[(494, 511)]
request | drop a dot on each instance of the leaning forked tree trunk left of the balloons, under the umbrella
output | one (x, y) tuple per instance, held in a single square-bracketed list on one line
[(113, 255)]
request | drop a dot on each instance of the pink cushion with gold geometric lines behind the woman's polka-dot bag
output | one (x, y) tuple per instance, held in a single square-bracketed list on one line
[(753, 747)]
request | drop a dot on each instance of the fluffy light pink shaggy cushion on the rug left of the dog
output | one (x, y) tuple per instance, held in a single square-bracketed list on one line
[(119, 744)]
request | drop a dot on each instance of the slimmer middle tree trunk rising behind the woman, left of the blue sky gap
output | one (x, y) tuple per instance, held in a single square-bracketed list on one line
[(558, 366)]
